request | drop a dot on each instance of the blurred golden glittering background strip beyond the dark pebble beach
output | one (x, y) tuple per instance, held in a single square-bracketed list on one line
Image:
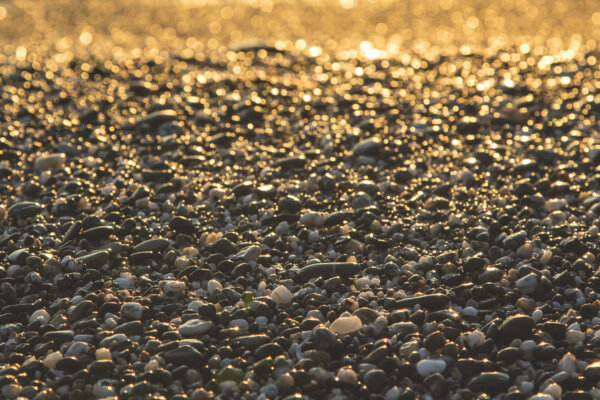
[(315, 26)]
